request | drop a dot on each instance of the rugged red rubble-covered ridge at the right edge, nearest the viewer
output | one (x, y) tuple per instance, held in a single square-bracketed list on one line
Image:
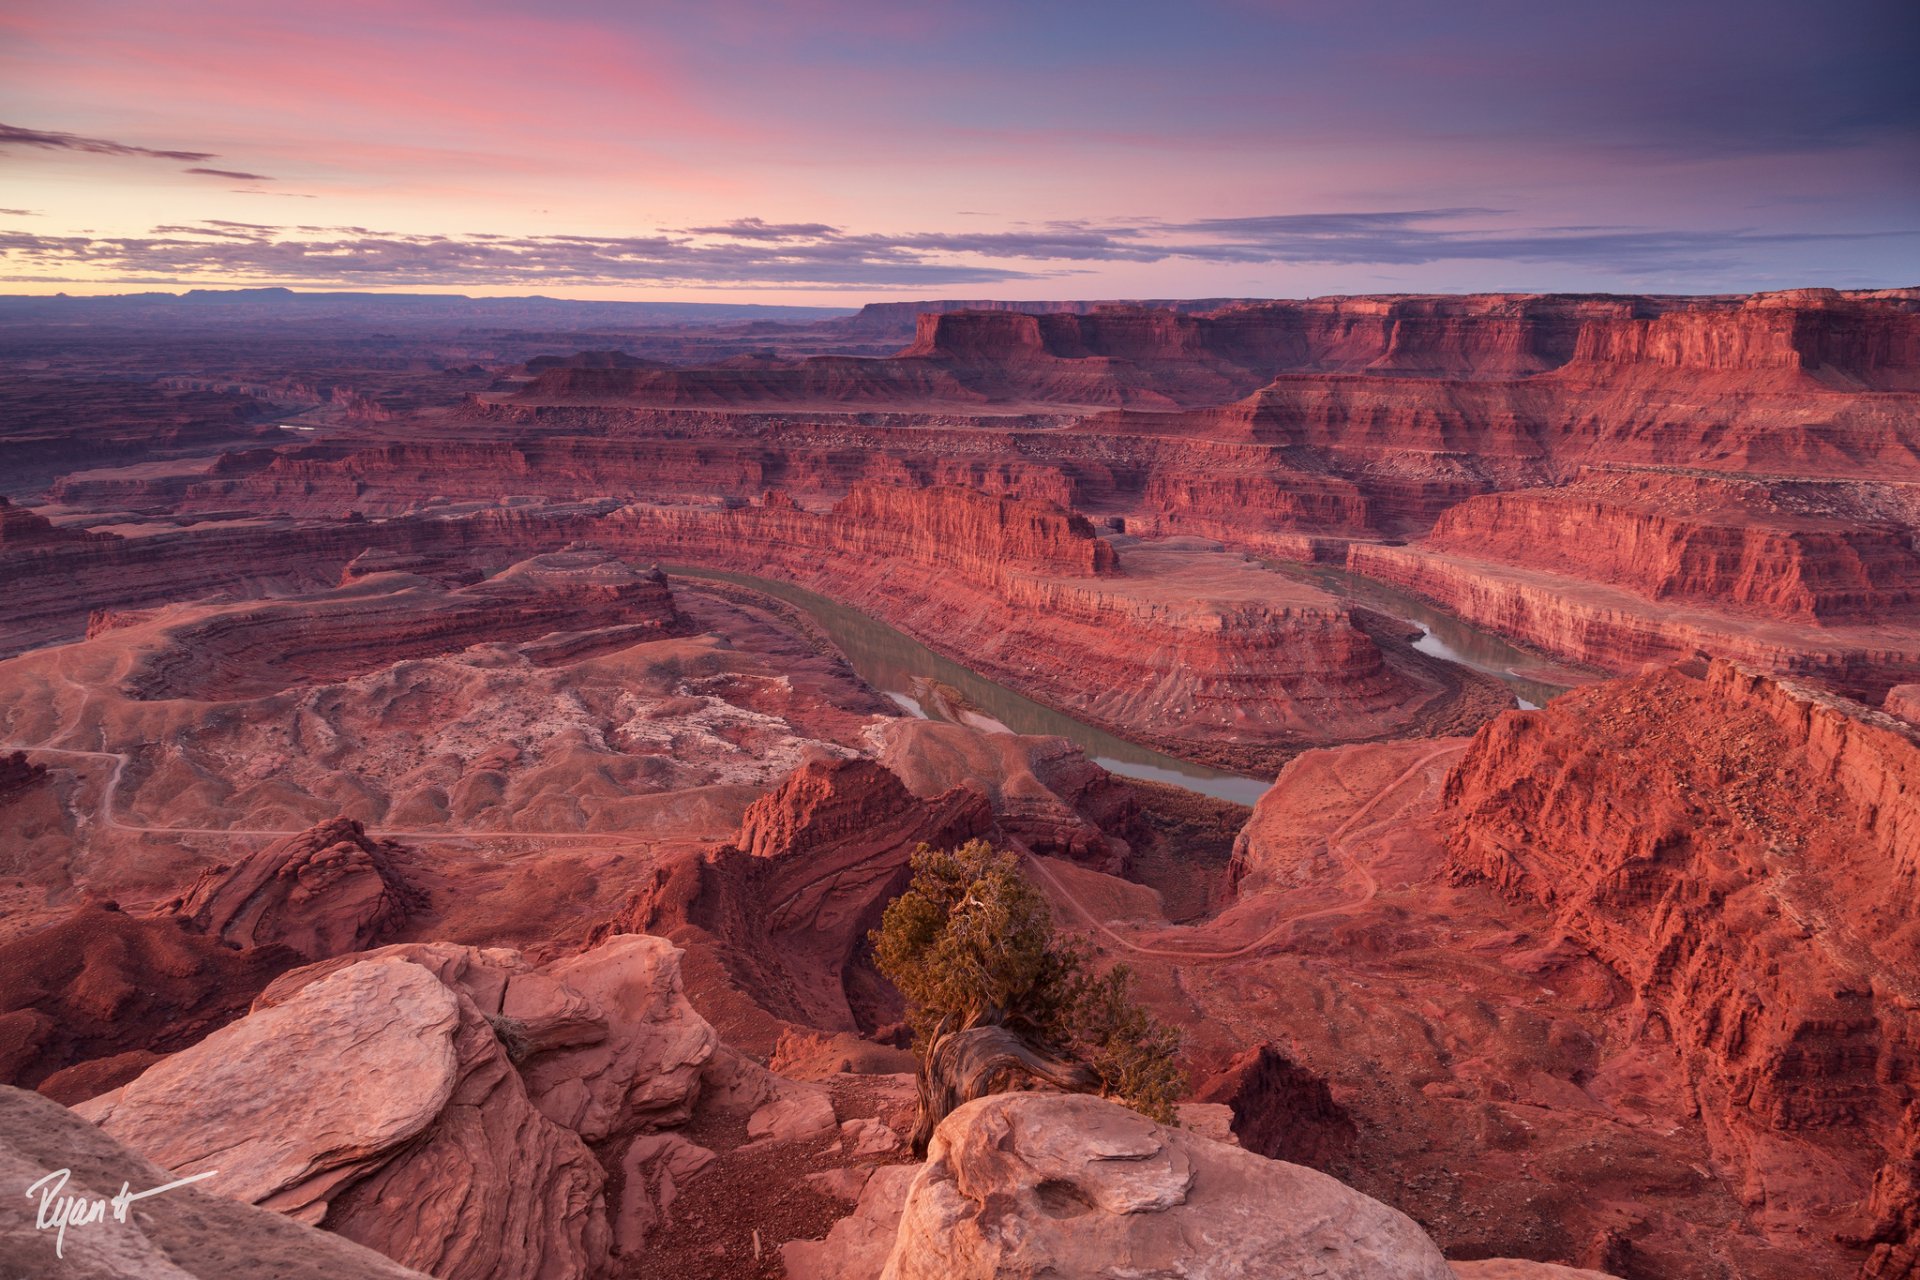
[(1740, 851)]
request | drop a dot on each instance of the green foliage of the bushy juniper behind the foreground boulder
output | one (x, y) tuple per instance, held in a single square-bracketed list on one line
[(972, 945)]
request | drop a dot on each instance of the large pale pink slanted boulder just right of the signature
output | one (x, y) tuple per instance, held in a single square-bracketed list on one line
[(356, 1104)]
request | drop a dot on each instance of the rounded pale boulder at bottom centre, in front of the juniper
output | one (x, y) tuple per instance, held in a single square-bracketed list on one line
[(1103, 1191)]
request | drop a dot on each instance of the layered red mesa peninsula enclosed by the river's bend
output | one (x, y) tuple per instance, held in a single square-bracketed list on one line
[(1191, 646)]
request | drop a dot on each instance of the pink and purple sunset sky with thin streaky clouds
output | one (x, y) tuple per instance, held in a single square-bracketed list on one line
[(836, 153)]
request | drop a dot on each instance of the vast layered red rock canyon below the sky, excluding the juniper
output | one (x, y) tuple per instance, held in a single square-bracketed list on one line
[(450, 747)]
